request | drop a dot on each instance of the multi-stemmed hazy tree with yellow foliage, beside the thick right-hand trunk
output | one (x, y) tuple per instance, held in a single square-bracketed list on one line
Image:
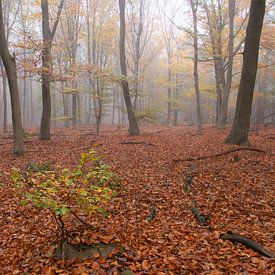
[(223, 32)]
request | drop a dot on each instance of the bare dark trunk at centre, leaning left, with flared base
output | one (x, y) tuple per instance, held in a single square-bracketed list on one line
[(133, 127)]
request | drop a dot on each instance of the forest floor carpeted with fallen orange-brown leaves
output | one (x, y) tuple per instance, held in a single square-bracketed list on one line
[(236, 190)]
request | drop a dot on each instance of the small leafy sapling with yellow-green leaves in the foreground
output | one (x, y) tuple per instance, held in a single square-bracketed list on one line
[(67, 191)]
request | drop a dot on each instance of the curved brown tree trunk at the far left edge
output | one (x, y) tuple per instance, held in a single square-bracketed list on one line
[(10, 68)]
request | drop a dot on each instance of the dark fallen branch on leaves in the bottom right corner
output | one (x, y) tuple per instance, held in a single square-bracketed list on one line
[(236, 238)]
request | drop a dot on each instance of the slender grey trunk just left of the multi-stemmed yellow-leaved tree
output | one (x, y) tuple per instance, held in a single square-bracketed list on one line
[(194, 6)]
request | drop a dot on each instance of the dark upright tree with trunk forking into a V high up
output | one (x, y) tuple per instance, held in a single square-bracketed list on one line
[(48, 35)]
